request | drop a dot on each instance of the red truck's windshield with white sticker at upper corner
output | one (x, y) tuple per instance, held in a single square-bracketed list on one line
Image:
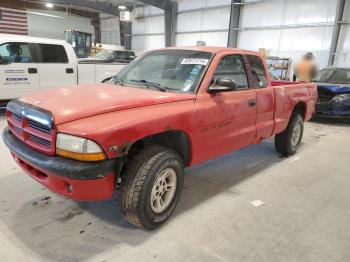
[(174, 70)]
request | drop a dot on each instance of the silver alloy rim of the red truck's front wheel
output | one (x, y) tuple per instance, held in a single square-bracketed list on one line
[(163, 190)]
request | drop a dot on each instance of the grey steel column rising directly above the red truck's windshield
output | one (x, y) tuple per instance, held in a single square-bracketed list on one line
[(170, 20)]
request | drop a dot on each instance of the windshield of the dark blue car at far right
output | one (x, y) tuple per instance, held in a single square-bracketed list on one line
[(336, 76)]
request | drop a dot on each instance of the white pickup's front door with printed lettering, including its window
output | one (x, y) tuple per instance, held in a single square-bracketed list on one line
[(19, 75)]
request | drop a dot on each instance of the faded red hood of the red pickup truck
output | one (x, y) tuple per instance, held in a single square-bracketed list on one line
[(72, 103)]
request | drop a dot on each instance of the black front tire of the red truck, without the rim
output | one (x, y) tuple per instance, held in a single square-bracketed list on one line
[(137, 183)]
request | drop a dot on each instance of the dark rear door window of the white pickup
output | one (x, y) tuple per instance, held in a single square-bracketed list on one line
[(53, 54)]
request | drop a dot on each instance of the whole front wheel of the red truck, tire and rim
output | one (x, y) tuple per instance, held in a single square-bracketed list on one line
[(151, 187)]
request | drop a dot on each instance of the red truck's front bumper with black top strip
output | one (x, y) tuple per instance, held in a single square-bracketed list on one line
[(83, 181)]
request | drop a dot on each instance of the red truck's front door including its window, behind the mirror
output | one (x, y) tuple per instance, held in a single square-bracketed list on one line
[(226, 120)]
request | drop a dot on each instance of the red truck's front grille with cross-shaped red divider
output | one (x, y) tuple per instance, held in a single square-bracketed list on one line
[(31, 126)]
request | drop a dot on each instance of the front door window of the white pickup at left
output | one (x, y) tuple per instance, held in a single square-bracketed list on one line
[(15, 53)]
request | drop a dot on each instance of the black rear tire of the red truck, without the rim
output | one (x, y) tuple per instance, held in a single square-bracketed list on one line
[(283, 141)]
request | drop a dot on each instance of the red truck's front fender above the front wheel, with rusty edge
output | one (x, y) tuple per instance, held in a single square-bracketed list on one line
[(121, 129)]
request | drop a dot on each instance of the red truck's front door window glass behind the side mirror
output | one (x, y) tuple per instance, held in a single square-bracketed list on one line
[(232, 67)]
